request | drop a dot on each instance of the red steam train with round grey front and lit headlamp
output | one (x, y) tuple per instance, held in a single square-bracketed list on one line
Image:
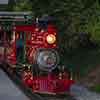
[(31, 52)]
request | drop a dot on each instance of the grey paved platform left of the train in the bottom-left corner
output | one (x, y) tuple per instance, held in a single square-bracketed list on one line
[(8, 90)]
